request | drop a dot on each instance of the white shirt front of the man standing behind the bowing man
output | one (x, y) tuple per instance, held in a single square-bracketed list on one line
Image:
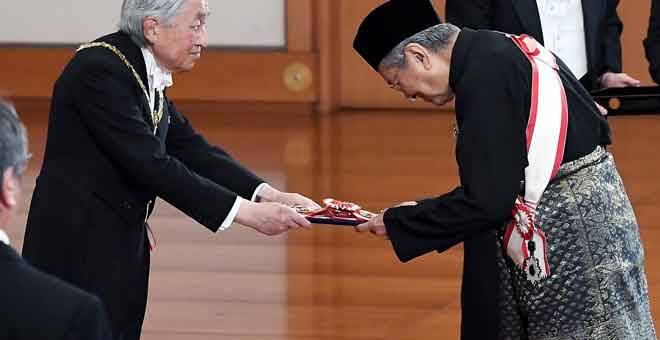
[(562, 22)]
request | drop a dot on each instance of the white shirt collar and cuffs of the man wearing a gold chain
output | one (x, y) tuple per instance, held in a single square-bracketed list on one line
[(160, 78)]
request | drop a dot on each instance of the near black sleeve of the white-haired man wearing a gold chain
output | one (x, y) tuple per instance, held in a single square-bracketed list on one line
[(112, 112)]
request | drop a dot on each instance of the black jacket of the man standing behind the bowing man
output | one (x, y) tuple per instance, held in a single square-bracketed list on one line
[(601, 25)]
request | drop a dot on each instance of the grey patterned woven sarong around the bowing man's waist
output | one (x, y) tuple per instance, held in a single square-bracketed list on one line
[(597, 288)]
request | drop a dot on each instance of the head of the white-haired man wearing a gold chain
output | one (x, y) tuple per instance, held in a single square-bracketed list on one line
[(174, 30)]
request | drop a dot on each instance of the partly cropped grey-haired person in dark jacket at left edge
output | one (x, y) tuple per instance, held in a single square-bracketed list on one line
[(35, 305)]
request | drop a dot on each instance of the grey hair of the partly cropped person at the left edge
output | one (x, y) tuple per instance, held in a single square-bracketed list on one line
[(13, 140)]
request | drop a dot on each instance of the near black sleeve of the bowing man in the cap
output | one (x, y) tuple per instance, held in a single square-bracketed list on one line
[(491, 154)]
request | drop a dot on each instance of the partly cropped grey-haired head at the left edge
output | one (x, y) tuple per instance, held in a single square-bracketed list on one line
[(13, 158)]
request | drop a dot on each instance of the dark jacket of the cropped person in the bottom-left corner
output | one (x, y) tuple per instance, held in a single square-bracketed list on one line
[(34, 305)]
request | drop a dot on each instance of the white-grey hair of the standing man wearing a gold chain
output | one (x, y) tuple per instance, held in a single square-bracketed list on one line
[(133, 13)]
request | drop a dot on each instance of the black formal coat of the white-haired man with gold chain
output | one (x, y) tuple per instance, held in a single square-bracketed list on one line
[(103, 165)]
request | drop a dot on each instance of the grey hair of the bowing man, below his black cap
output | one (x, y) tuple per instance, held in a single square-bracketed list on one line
[(434, 38)]
